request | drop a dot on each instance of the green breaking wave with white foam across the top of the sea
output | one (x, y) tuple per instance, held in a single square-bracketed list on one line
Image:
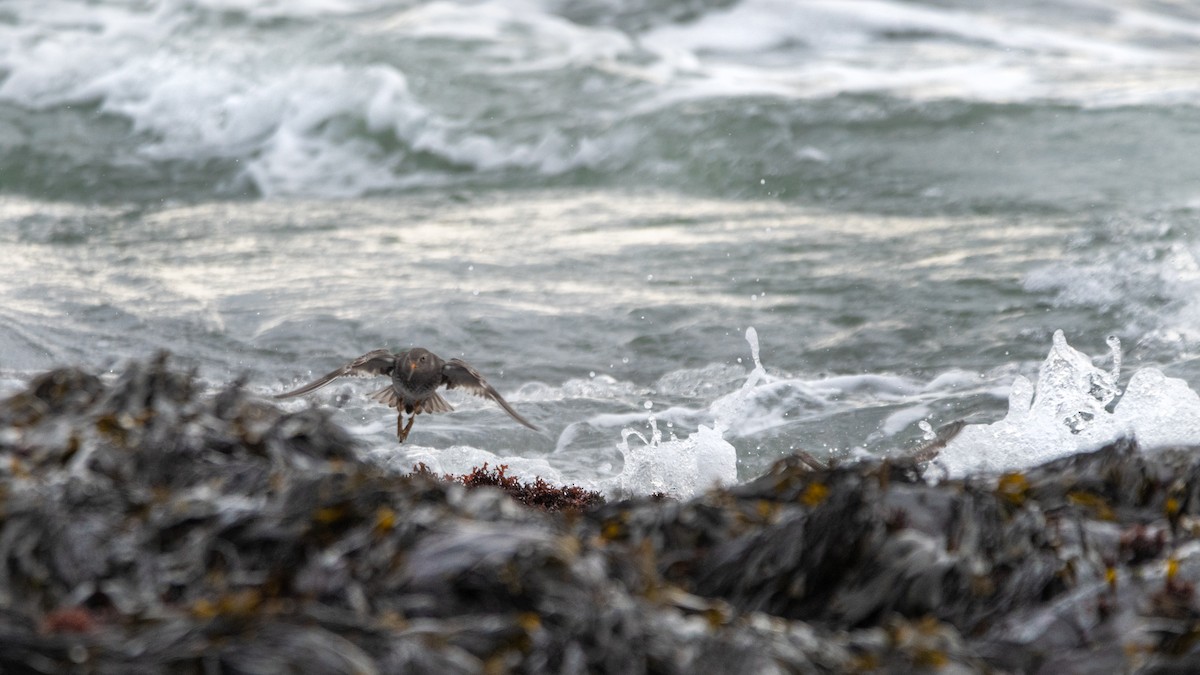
[(754, 99)]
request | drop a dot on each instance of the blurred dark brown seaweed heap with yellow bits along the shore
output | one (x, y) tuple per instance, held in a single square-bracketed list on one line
[(149, 528)]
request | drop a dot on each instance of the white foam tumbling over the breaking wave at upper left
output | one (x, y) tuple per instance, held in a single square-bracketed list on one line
[(293, 110)]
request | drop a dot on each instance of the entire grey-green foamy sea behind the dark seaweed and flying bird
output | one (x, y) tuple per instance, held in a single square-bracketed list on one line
[(593, 205)]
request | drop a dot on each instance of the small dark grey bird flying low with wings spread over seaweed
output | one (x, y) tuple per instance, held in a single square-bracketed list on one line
[(417, 375)]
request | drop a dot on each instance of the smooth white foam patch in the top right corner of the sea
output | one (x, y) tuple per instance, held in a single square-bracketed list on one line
[(838, 47)]
